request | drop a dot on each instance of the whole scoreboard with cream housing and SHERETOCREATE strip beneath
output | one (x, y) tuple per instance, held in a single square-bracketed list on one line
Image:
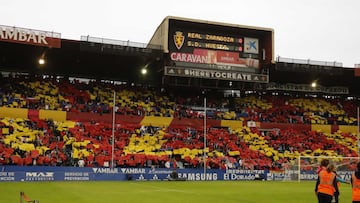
[(211, 50)]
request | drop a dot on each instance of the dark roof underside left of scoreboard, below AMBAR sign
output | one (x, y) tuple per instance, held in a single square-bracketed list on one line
[(80, 59)]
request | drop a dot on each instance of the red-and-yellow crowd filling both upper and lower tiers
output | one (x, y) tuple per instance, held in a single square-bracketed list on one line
[(46, 142)]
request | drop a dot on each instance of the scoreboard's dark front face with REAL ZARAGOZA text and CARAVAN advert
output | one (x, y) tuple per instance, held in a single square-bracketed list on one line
[(218, 46)]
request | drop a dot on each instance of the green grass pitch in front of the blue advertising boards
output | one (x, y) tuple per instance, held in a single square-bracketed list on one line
[(165, 191)]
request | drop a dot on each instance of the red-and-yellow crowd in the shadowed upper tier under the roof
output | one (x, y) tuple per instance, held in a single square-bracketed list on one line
[(75, 95)]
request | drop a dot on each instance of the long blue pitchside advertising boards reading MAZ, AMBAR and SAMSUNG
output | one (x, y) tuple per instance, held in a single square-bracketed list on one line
[(24, 173)]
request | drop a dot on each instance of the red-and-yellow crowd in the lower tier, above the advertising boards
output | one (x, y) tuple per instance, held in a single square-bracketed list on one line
[(39, 142)]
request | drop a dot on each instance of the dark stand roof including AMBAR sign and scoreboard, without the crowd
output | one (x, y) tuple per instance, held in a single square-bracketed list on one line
[(181, 53)]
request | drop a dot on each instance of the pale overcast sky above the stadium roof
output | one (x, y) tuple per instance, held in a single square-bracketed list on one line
[(325, 30)]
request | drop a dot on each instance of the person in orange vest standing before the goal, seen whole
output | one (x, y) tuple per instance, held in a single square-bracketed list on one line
[(326, 185)]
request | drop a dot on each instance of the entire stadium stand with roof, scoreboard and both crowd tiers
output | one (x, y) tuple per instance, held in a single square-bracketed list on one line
[(91, 98)]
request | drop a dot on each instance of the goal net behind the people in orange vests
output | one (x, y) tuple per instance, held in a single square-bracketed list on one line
[(306, 167)]
